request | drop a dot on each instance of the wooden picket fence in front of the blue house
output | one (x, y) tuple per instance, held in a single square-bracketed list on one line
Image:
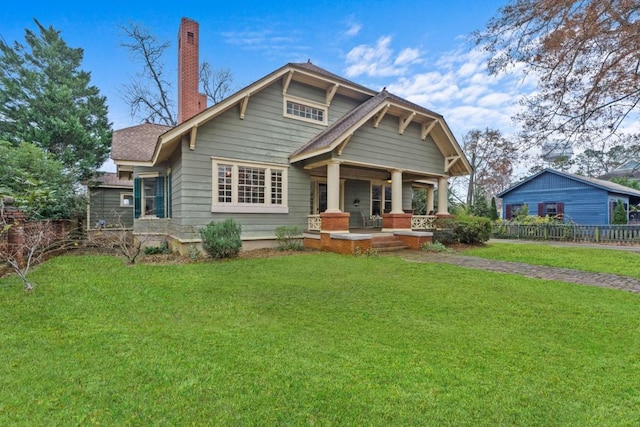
[(568, 232)]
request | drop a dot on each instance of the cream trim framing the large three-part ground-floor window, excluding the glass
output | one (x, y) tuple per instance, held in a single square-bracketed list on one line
[(234, 206)]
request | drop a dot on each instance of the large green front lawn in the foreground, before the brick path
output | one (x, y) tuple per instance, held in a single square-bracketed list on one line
[(317, 339)]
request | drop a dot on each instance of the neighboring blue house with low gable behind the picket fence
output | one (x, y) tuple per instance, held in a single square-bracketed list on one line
[(570, 197)]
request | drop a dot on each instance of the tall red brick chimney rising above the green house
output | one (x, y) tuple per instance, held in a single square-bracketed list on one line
[(190, 100)]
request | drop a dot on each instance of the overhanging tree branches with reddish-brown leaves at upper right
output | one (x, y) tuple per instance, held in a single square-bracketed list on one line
[(584, 55)]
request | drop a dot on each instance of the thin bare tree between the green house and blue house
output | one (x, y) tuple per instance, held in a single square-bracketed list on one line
[(492, 158)]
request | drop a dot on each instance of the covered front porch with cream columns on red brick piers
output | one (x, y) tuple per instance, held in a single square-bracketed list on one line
[(353, 205)]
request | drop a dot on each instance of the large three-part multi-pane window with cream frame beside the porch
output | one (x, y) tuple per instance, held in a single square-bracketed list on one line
[(241, 186)]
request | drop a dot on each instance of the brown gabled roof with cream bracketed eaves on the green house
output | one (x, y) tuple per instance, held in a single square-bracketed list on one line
[(151, 152)]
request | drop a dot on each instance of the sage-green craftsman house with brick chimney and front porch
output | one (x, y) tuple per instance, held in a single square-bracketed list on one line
[(301, 147)]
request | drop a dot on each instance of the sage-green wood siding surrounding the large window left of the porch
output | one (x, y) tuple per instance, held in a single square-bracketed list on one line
[(263, 136)]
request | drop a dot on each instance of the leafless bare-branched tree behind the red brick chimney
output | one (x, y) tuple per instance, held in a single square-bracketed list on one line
[(149, 94)]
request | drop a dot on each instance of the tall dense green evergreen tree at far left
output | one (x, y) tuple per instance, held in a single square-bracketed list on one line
[(46, 99)]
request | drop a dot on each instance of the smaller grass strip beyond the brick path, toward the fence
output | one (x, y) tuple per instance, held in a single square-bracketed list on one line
[(588, 259)]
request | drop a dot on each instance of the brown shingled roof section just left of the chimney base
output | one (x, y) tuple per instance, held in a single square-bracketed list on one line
[(136, 143)]
